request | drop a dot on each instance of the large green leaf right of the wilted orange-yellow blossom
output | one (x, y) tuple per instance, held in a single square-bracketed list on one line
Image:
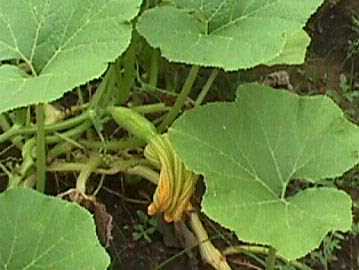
[(251, 150)]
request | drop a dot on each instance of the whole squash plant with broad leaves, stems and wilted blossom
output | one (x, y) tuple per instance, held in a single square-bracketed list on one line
[(249, 151)]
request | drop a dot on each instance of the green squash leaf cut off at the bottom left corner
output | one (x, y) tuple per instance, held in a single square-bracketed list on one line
[(41, 232)]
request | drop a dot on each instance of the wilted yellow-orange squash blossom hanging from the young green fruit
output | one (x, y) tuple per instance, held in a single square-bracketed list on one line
[(176, 184)]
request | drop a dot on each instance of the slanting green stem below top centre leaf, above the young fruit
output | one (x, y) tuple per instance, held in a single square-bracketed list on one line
[(181, 99)]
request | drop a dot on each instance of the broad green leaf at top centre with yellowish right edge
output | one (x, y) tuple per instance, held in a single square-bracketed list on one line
[(229, 34)]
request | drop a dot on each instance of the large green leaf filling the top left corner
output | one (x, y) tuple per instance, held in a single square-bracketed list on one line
[(64, 43)]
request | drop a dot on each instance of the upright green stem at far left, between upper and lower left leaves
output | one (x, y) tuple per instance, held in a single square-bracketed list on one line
[(40, 149)]
